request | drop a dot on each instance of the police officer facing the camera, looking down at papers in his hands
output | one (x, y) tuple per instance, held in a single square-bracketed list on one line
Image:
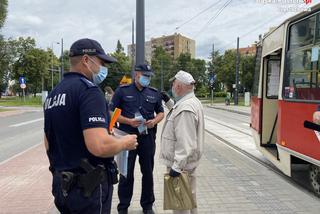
[(139, 101)]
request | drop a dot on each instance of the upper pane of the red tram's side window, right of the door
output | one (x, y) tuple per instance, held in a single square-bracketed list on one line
[(302, 33)]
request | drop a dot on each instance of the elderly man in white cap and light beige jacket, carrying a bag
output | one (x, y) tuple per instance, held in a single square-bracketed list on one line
[(183, 132)]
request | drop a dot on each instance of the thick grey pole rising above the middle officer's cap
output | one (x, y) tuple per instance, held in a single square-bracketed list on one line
[(140, 32)]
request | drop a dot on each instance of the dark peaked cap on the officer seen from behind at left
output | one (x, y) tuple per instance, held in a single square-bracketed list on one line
[(90, 47)]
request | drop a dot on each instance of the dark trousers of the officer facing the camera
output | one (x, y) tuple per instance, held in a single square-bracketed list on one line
[(145, 151)]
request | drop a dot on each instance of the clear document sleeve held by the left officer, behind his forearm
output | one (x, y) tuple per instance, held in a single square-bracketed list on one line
[(122, 157)]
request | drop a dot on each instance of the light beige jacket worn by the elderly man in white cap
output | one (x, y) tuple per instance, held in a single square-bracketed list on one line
[(183, 134)]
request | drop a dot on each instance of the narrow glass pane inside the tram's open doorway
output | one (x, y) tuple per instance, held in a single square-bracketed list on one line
[(273, 79)]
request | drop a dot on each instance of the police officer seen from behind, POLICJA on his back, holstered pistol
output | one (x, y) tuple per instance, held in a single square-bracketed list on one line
[(79, 147)]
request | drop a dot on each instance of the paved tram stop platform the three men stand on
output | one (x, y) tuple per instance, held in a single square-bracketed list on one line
[(228, 182)]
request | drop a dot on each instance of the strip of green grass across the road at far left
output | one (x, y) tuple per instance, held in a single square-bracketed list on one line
[(19, 101)]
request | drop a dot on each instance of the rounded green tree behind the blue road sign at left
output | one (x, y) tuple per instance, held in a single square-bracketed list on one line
[(34, 66)]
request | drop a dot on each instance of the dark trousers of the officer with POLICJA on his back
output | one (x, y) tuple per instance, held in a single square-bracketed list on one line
[(75, 202)]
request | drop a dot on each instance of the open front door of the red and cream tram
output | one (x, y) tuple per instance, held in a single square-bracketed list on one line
[(270, 91)]
